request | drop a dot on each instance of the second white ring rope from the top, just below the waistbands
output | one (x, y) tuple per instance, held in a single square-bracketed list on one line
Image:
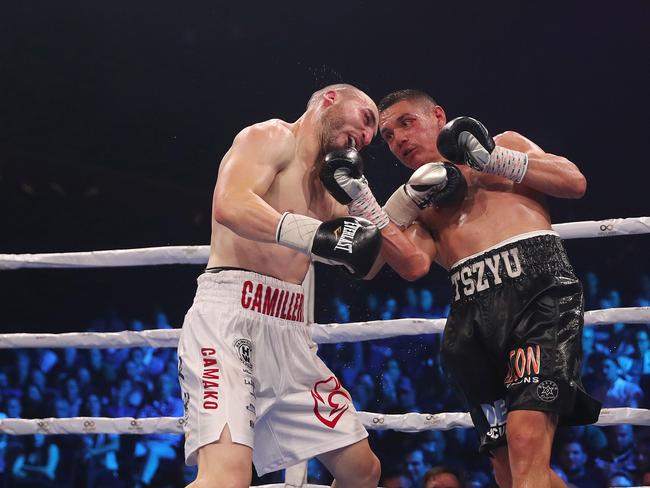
[(321, 333)]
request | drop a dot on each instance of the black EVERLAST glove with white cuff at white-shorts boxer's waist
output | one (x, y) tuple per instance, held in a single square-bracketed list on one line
[(351, 242)]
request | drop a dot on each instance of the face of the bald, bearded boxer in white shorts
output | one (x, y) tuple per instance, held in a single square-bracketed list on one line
[(351, 120)]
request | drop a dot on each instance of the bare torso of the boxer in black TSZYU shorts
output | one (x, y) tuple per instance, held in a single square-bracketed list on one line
[(494, 210)]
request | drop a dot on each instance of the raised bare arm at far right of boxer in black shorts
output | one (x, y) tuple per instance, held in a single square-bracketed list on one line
[(547, 173)]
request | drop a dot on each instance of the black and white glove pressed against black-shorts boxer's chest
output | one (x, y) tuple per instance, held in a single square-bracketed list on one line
[(431, 185)]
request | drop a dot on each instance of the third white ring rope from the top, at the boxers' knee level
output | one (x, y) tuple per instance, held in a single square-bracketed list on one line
[(408, 422)]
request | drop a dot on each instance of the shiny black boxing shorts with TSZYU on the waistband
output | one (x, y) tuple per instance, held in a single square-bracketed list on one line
[(513, 338)]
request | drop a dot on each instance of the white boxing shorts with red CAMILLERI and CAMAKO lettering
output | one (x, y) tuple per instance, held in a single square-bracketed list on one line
[(247, 360)]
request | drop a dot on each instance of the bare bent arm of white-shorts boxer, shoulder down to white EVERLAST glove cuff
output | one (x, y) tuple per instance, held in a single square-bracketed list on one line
[(247, 171)]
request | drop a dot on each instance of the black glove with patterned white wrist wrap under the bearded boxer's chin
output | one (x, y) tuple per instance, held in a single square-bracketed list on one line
[(342, 175)]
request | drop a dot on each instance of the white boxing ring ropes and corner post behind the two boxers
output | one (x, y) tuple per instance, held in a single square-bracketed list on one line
[(322, 334)]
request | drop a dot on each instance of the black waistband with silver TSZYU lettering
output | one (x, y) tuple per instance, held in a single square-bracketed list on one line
[(517, 258)]
